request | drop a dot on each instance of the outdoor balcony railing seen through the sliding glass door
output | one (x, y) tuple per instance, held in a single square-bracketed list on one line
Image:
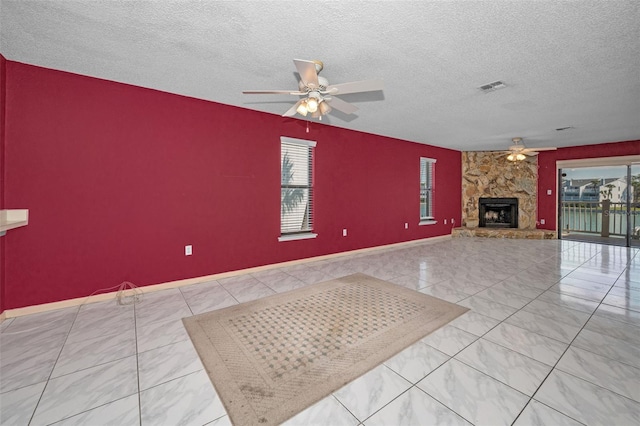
[(587, 217)]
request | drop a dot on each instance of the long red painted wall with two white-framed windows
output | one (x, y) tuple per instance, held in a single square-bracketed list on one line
[(118, 179)]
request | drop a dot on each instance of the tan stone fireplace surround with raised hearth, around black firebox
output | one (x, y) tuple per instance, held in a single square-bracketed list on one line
[(490, 175)]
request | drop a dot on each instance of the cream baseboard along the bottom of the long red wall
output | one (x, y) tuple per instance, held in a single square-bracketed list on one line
[(11, 313)]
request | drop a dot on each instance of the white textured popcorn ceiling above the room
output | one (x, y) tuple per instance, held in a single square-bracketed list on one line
[(565, 63)]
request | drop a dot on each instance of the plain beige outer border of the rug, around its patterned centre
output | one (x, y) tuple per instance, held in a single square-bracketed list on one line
[(223, 354)]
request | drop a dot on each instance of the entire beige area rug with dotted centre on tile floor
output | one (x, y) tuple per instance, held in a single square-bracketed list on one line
[(271, 358)]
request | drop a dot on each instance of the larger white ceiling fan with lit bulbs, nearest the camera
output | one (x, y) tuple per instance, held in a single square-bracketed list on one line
[(318, 96)]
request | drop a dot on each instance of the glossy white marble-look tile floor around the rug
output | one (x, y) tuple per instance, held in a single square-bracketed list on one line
[(552, 338)]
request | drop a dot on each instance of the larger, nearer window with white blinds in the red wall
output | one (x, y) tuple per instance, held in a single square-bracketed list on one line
[(296, 189)]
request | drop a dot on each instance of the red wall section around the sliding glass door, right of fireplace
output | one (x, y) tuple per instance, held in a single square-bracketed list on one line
[(547, 172)]
